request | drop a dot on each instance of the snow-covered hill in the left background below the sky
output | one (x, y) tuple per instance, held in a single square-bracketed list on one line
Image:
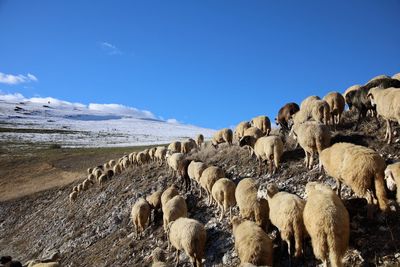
[(52, 121)]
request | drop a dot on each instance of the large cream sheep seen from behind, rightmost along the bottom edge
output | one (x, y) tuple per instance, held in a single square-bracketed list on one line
[(327, 222)]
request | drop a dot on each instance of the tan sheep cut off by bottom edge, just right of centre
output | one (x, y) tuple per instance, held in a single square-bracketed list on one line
[(252, 244)]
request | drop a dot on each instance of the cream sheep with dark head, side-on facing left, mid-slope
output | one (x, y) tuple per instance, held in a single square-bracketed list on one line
[(267, 148)]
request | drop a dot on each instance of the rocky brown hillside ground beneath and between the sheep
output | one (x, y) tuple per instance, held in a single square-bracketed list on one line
[(96, 231)]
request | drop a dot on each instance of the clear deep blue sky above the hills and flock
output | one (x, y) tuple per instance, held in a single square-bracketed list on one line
[(208, 63)]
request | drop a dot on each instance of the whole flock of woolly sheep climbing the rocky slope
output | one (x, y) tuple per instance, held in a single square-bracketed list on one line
[(322, 215)]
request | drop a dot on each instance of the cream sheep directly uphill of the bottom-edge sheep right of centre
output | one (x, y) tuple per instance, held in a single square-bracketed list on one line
[(250, 207)]
